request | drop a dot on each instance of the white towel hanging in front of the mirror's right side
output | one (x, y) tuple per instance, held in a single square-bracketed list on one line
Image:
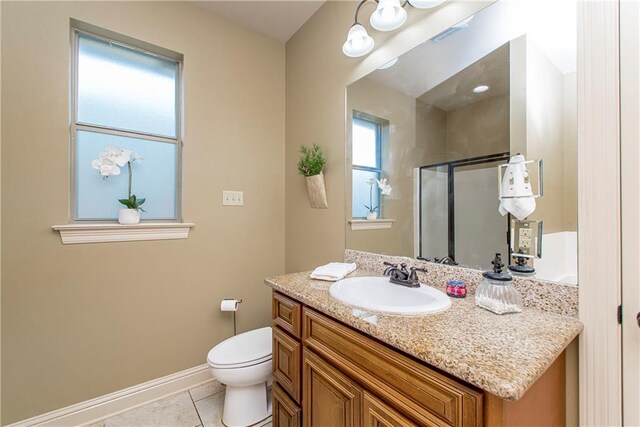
[(517, 197)]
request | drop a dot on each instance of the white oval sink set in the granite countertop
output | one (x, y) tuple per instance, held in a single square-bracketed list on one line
[(377, 293)]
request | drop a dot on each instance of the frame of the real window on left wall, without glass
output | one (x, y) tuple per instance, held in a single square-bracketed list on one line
[(78, 28)]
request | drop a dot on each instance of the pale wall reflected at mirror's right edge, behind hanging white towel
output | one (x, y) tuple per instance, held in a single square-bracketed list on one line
[(544, 126)]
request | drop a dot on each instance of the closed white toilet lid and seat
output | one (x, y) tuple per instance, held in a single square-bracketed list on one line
[(243, 350)]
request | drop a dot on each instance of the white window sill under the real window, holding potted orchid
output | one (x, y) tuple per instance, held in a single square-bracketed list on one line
[(113, 232)]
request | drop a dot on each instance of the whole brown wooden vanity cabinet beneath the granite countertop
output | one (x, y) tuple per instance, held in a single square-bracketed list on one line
[(329, 375)]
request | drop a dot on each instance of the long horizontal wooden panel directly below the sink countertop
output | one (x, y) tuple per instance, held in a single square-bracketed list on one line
[(406, 384)]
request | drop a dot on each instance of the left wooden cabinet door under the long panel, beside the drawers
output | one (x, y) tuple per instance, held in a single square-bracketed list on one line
[(330, 399)]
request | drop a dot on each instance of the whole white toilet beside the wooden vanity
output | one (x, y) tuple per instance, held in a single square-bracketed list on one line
[(243, 364)]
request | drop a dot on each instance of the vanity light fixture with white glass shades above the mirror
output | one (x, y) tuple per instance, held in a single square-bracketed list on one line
[(388, 16)]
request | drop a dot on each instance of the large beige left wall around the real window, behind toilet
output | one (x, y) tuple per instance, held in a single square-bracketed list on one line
[(79, 321)]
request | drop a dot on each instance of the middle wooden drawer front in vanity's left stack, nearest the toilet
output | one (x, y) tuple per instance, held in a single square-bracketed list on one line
[(286, 363)]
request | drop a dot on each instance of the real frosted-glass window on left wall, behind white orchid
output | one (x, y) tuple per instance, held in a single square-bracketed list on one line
[(127, 94)]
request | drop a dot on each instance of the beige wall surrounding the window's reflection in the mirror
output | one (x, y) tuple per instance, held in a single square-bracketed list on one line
[(400, 154)]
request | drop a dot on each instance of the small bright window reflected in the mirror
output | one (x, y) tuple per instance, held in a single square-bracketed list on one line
[(366, 136)]
